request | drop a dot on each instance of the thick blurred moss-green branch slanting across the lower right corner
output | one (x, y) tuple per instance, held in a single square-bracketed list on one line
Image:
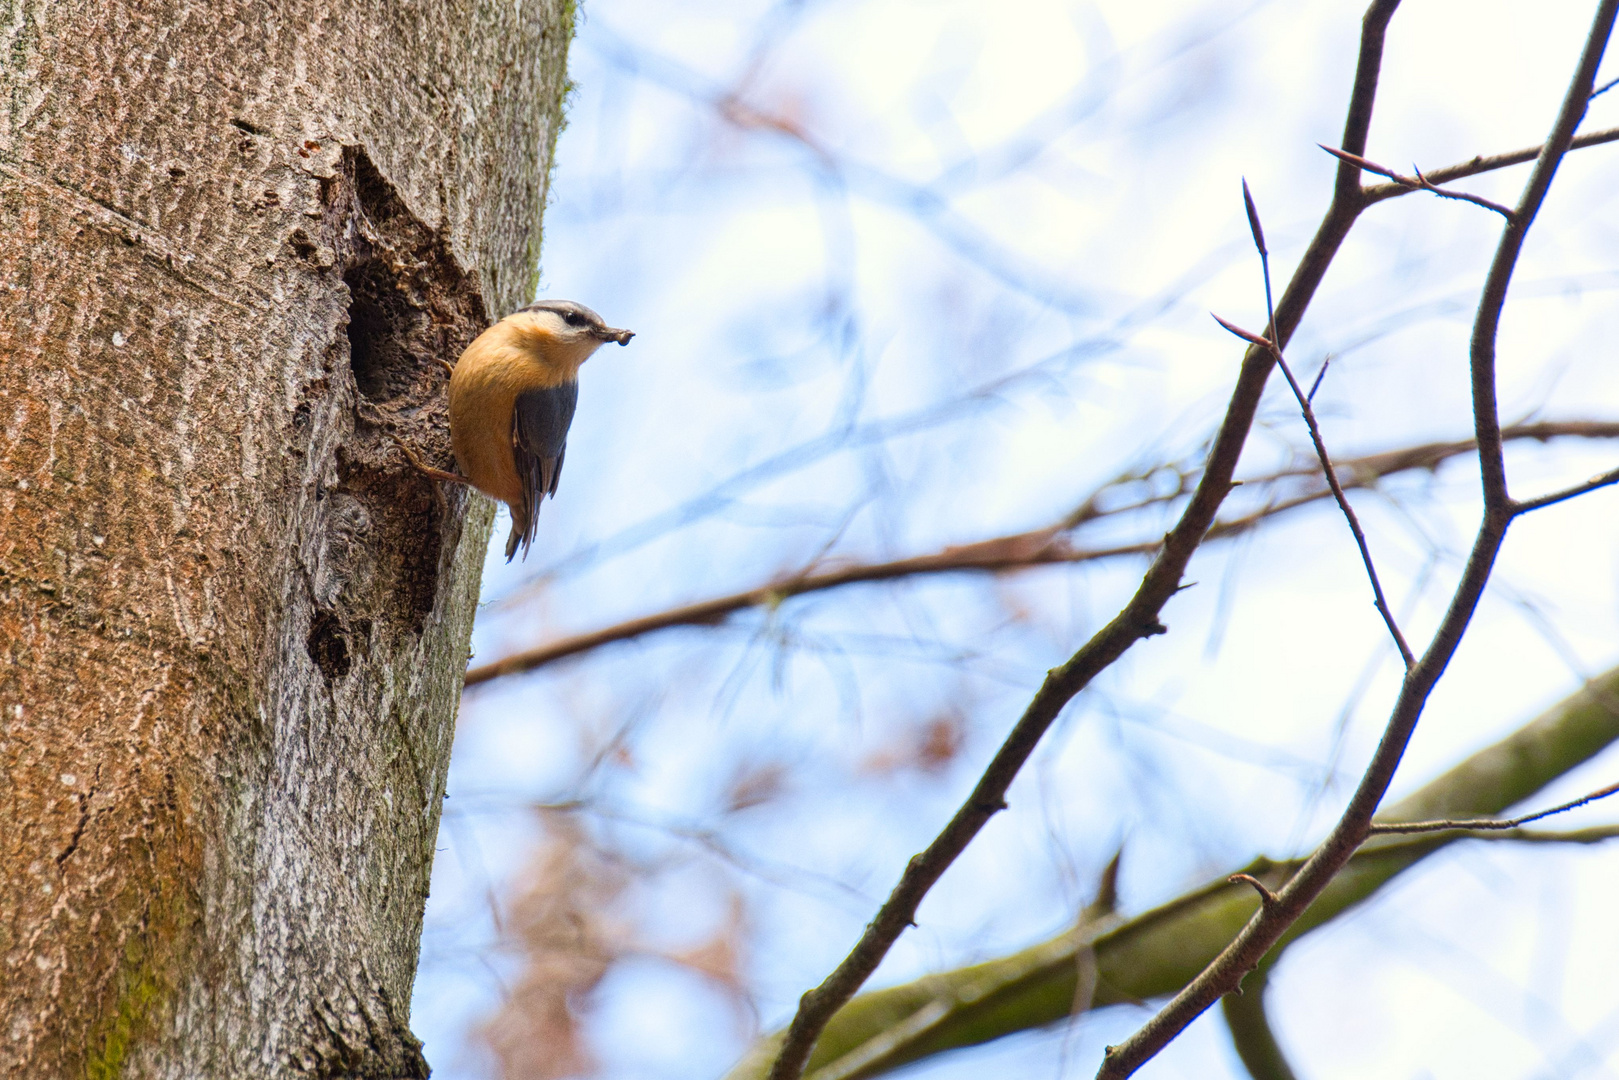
[(1160, 951)]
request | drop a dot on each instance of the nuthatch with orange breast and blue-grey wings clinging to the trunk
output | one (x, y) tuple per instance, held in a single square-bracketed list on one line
[(512, 398)]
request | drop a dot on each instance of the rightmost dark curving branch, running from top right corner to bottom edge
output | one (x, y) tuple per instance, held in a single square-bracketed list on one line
[(1272, 921)]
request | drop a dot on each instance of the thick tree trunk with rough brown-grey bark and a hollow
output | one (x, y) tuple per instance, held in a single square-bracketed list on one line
[(236, 237)]
